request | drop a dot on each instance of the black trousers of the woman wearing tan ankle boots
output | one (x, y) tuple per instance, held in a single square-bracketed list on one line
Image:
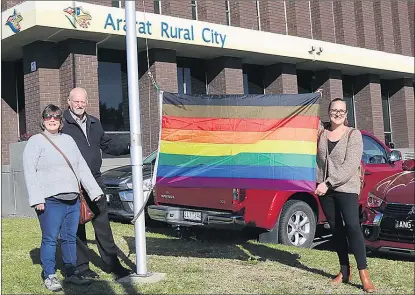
[(339, 207)]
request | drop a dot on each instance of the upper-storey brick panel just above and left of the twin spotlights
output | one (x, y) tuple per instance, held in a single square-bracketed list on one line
[(298, 18)]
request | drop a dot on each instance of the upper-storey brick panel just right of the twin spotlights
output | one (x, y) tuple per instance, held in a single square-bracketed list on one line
[(345, 22)]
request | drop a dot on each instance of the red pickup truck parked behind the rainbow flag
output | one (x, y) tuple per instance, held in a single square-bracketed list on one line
[(284, 217)]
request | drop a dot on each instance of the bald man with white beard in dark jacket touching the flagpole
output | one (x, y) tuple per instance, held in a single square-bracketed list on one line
[(90, 137)]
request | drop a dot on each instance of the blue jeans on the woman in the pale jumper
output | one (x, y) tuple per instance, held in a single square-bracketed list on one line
[(59, 217)]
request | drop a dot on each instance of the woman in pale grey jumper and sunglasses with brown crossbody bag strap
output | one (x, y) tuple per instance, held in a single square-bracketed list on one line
[(54, 193)]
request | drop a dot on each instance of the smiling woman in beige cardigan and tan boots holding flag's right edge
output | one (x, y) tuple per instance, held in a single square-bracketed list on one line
[(339, 153)]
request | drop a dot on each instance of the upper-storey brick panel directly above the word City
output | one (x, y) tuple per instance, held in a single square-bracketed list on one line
[(211, 11)]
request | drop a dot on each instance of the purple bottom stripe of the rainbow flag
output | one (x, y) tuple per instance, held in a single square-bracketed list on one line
[(271, 184)]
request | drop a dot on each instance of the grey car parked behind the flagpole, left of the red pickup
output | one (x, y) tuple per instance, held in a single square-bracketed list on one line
[(119, 188)]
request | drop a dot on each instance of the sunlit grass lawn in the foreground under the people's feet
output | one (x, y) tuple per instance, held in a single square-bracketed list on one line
[(220, 264)]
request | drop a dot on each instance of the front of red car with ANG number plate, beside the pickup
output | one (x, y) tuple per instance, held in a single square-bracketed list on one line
[(389, 216)]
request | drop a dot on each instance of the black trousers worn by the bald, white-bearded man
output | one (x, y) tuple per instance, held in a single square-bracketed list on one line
[(103, 236)]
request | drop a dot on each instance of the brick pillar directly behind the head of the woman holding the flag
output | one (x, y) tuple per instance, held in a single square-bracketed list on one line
[(331, 83)]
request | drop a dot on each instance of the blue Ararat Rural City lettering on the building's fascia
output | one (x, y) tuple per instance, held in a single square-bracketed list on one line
[(168, 31)]
